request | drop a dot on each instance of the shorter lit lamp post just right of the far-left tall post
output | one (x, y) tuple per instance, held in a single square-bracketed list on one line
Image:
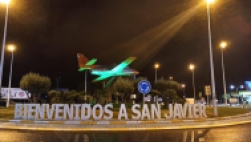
[(11, 48)]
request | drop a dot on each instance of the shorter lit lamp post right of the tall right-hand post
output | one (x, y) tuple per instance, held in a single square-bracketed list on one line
[(223, 46)]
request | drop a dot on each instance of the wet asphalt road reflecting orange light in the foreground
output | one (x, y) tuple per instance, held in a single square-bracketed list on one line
[(239, 133)]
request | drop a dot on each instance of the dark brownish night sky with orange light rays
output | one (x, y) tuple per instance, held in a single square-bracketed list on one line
[(48, 34)]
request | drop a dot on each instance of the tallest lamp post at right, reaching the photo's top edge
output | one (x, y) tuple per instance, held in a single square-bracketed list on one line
[(211, 58)]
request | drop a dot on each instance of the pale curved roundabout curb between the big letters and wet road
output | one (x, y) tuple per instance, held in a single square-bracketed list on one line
[(40, 125)]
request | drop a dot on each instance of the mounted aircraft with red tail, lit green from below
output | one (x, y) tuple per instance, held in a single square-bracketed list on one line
[(121, 69)]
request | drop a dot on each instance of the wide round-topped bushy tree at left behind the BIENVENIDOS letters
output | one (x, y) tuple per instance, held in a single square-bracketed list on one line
[(35, 84)]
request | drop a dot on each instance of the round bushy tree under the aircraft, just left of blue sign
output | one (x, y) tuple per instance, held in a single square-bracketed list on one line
[(124, 87)]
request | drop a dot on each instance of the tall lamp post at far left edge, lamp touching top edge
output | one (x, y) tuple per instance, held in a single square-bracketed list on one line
[(4, 41)]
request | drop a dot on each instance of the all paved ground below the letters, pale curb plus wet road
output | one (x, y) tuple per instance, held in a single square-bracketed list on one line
[(208, 130)]
